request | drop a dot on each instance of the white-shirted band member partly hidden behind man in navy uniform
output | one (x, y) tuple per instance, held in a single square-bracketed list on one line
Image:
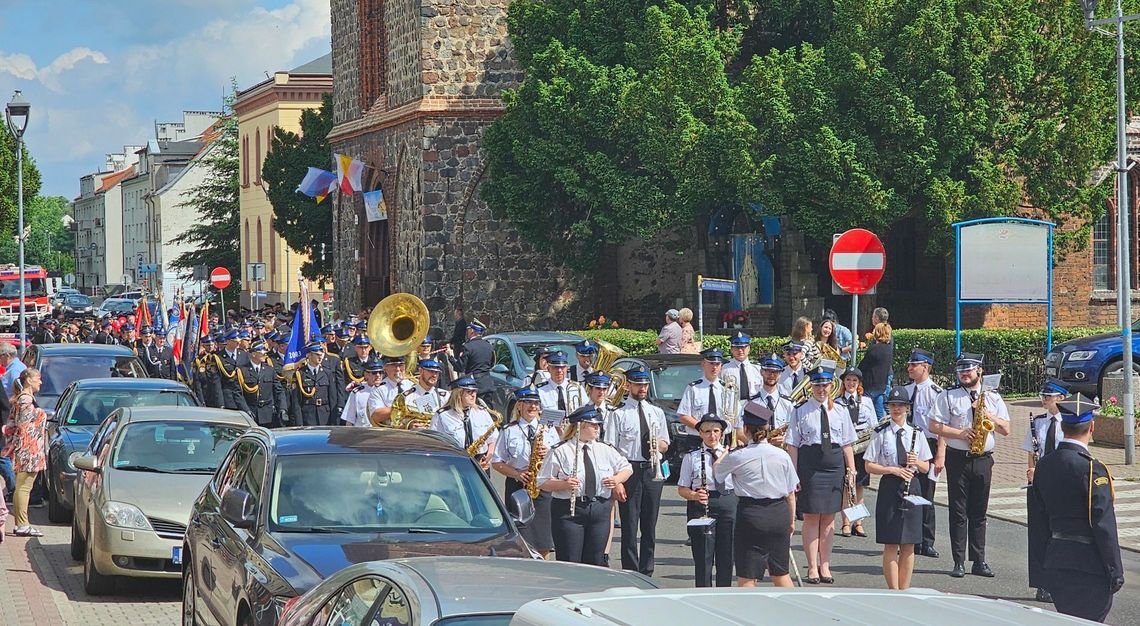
[(1043, 438)]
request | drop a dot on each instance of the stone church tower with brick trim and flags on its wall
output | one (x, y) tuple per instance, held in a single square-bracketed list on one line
[(416, 86)]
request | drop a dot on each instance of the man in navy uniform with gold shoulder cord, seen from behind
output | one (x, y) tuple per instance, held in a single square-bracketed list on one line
[(1076, 494)]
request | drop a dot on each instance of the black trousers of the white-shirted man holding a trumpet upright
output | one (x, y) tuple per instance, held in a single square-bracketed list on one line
[(639, 513)]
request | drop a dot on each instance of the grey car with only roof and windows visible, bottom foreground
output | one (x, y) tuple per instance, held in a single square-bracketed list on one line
[(447, 590)]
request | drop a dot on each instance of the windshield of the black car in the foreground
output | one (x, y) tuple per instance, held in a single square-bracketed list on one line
[(382, 492)]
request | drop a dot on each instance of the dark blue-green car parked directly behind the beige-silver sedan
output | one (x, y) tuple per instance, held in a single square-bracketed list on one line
[(82, 409)]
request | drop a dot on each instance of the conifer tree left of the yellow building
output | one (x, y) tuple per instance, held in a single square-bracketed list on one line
[(217, 234)]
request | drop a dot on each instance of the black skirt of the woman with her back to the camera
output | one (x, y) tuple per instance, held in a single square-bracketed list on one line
[(762, 538)]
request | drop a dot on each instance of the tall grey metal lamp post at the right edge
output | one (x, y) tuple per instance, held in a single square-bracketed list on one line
[(1123, 247)]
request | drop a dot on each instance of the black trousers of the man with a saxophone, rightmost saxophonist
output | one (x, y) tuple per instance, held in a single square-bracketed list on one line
[(968, 491)]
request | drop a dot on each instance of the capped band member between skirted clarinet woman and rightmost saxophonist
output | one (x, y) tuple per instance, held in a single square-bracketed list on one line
[(923, 393)]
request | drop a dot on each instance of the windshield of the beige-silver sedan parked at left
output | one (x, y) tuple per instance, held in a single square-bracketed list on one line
[(174, 446)]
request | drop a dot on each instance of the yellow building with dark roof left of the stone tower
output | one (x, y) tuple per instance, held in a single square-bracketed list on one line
[(275, 103)]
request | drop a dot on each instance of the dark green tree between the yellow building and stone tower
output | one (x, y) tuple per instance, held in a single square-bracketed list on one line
[(304, 224)]
